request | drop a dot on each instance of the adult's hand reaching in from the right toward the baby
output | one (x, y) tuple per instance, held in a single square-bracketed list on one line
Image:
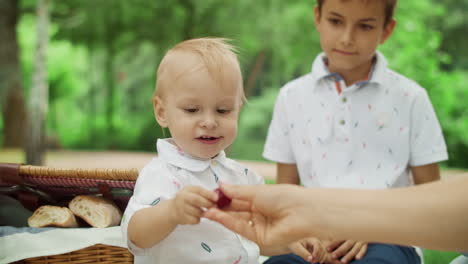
[(260, 213)]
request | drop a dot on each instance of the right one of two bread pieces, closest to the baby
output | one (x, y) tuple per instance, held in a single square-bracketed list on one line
[(96, 211)]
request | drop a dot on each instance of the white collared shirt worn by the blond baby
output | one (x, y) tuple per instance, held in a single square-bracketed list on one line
[(206, 242)]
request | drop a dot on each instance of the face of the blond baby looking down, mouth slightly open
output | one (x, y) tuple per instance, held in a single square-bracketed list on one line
[(202, 114)]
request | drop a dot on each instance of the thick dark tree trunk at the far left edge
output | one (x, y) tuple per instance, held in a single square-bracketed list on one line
[(12, 102)]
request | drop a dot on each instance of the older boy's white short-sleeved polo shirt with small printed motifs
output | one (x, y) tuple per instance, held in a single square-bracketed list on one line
[(365, 137)]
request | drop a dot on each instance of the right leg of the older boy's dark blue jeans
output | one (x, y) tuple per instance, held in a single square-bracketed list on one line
[(389, 254)]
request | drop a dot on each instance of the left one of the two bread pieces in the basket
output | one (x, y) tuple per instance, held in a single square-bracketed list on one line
[(48, 215)]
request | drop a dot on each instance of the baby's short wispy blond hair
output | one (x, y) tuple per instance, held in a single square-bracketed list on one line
[(215, 54)]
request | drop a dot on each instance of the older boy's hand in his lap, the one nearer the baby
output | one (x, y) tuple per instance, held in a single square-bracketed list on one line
[(312, 250)]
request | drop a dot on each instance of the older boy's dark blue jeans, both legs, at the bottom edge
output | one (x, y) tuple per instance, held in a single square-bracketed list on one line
[(376, 254)]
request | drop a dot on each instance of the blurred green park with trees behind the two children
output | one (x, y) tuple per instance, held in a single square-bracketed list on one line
[(101, 59)]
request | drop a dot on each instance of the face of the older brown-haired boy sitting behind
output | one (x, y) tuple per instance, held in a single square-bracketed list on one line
[(350, 32)]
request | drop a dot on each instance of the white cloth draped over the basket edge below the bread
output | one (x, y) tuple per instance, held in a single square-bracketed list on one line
[(25, 242)]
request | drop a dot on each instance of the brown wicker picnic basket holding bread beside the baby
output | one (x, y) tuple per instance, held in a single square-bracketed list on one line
[(34, 186)]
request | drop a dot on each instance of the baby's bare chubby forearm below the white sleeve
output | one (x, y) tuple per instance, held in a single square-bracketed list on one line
[(149, 226)]
